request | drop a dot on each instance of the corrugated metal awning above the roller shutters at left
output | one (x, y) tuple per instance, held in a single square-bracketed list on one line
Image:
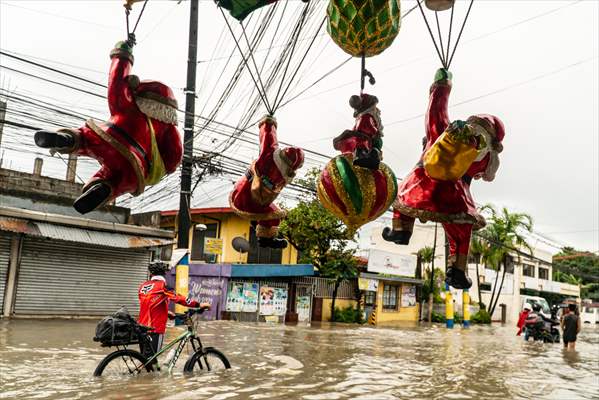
[(79, 235)]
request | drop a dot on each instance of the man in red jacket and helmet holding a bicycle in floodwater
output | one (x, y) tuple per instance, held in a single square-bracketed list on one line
[(154, 298)]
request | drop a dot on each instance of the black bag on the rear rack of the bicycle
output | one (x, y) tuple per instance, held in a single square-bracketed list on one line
[(117, 329)]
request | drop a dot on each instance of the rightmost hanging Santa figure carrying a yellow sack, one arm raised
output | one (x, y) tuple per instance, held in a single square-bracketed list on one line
[(438, 188)]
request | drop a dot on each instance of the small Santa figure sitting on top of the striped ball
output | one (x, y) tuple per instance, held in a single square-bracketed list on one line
[(364, 142)]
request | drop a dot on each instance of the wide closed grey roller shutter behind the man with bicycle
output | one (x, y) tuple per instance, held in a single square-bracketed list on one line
[(63, 278)]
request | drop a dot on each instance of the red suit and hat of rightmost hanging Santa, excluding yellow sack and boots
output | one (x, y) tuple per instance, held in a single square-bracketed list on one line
[(447, 201)]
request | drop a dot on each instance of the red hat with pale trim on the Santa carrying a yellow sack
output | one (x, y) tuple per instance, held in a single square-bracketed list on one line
[(493, 130)]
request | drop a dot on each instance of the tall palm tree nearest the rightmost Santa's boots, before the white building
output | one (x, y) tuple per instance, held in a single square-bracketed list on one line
[(504, 234)]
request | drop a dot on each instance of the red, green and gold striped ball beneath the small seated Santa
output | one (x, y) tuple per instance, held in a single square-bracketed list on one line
[(356, 195)]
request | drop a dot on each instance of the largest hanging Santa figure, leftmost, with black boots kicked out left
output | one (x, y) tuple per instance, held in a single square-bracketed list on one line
[(136, 147)]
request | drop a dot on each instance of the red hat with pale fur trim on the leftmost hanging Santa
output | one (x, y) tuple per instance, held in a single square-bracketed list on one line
[(154, 99)]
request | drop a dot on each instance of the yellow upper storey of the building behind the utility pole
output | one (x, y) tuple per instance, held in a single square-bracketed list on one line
[(222, 223)]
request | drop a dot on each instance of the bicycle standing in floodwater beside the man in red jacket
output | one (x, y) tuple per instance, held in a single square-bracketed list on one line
[(125, 361)]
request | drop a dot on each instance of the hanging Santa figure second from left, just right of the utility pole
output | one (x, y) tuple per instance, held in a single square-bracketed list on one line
[(254, 193)]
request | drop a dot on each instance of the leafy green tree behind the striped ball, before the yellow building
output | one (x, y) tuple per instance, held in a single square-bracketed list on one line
[(320, 237)]
